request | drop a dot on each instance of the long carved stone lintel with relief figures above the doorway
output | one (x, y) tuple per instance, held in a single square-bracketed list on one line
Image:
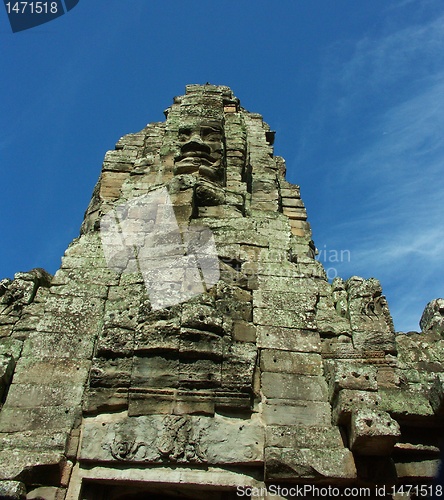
[(171, 438)]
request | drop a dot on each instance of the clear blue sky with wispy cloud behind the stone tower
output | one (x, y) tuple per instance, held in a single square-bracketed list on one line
[(354, 90)]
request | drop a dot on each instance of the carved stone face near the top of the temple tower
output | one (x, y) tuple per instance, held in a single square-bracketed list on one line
[(201, 150)]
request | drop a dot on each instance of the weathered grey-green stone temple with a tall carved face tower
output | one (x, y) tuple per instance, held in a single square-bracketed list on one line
[(190, 346)]
